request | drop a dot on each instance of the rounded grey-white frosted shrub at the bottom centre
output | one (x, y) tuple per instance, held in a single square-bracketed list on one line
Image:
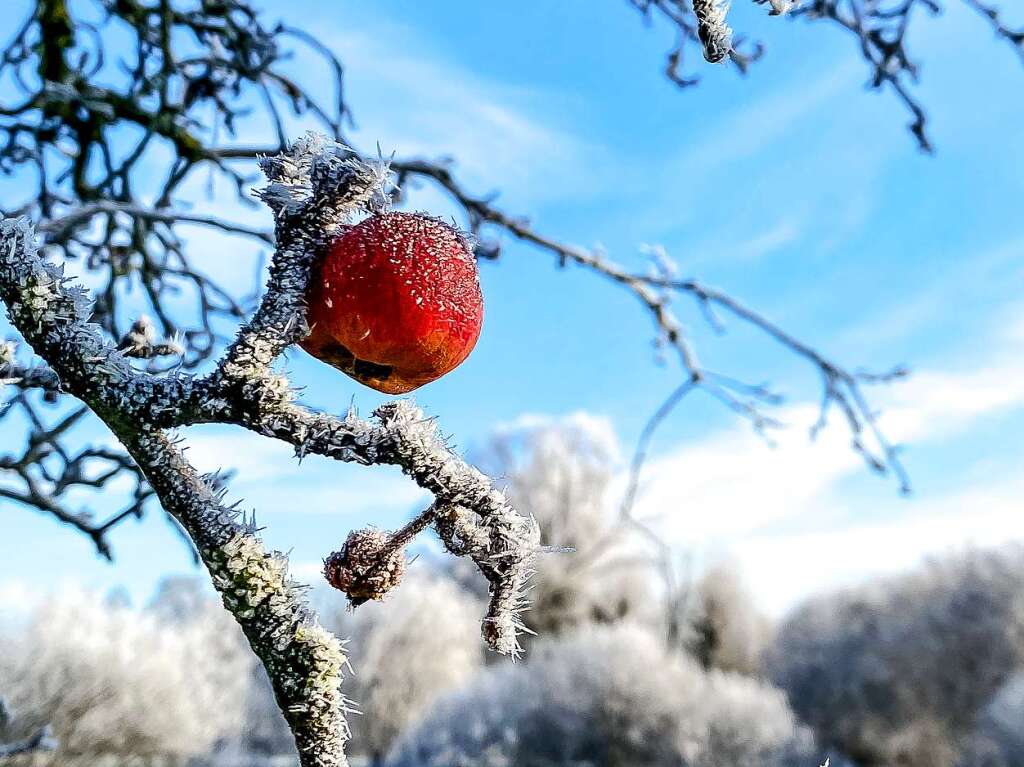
[(607, 696)]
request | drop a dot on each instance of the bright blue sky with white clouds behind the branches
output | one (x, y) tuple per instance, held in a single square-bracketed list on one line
[(796, 190)]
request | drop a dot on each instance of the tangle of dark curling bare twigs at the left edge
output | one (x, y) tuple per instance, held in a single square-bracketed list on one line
[(97, 205)]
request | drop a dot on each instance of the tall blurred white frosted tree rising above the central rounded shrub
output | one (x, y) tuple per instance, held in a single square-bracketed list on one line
[(564, 473)]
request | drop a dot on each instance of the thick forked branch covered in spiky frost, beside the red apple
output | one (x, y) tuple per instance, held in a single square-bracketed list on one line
[(313, 189)]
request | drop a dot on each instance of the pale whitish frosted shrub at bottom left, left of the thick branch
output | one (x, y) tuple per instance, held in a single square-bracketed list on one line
[(118, 683)]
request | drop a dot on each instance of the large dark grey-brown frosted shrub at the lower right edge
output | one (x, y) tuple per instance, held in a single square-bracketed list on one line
[(900, 671)]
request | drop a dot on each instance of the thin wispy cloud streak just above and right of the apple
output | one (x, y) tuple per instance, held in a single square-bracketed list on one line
[(419, 102)]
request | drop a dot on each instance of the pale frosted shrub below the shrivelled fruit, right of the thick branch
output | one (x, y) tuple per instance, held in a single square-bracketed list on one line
[(422, 642)]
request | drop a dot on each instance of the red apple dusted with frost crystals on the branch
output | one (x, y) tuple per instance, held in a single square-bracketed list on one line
[(396, 303)]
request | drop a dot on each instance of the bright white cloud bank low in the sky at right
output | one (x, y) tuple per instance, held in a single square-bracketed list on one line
[(806, 516)]
